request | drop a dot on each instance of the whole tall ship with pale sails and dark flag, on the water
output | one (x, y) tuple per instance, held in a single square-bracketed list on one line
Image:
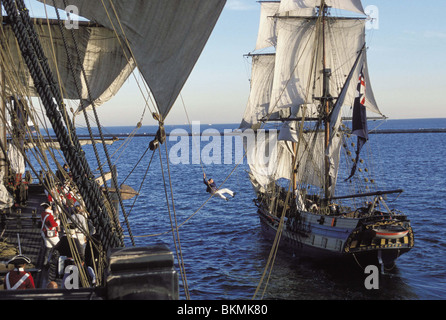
[(310, 79)]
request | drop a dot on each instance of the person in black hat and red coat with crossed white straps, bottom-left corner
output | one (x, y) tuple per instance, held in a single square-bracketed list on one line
[(19, 279)]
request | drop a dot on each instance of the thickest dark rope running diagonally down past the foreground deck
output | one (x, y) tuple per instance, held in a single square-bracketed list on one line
[(50, 96)]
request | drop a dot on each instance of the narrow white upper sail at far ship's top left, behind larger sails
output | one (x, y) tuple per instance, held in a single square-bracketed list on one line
[(267, 27)]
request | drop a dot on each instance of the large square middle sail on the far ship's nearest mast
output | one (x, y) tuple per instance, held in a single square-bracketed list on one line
[(298, 68)]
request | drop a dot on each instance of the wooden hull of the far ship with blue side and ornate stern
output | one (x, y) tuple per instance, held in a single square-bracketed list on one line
[(349, 237)]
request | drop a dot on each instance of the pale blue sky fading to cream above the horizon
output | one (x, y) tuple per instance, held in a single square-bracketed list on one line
[(405, 56)]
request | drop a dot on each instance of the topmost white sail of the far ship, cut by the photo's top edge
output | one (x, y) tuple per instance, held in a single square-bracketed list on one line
[(307, 7)]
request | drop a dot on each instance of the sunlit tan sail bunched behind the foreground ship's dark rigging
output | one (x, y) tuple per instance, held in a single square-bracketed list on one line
[(101, 56)]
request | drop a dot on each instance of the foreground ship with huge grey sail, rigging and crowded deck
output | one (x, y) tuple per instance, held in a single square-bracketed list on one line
[(48, 65)]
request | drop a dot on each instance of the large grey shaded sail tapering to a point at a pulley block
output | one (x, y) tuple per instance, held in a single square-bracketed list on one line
[(166, 37)]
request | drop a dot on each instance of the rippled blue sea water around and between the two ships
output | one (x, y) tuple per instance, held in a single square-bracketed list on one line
[(223, 248)]
